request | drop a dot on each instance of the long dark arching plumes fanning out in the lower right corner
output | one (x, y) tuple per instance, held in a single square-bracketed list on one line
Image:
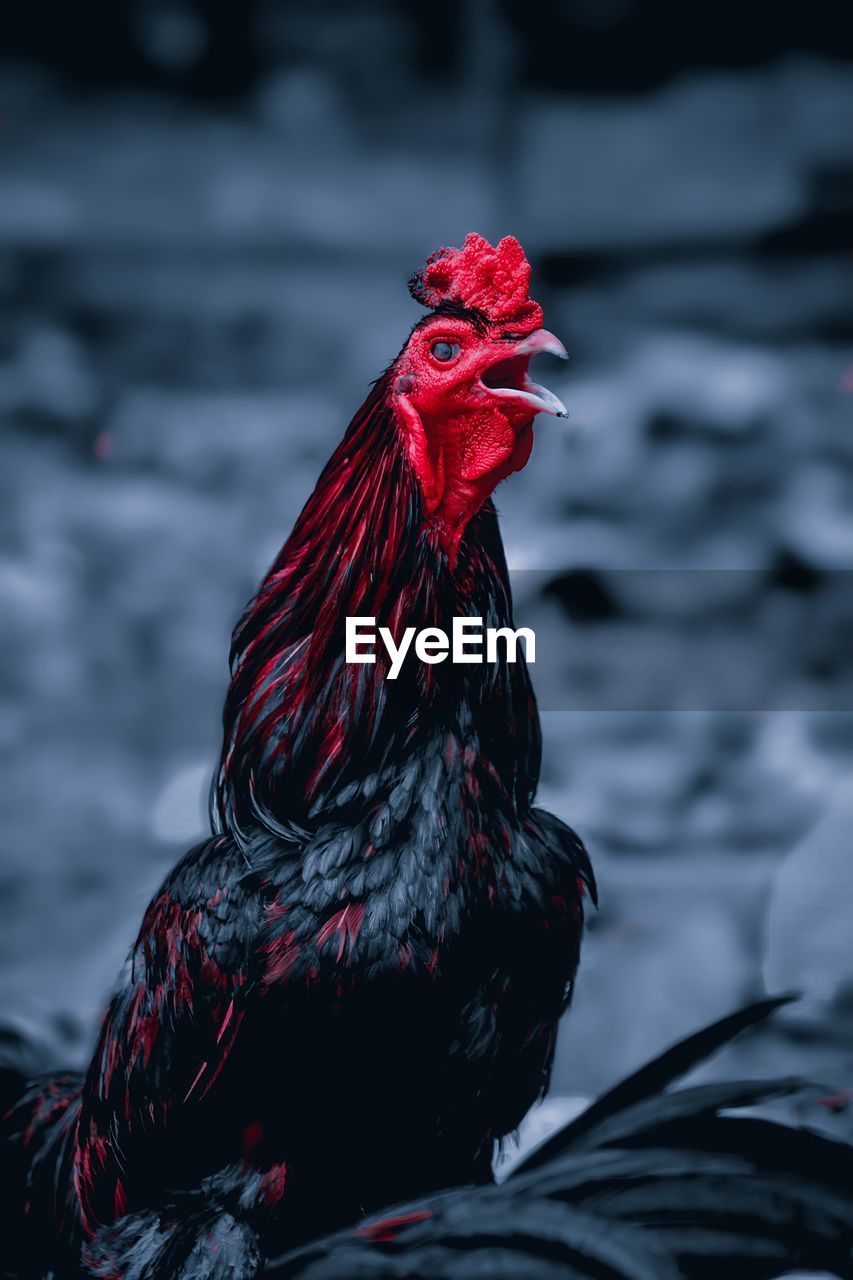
[(646, 1185)]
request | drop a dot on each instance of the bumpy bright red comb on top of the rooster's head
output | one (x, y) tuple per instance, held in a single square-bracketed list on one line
[(495, 281)]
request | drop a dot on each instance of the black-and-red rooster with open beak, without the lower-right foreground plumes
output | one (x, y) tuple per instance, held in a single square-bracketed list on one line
[(350, 993)]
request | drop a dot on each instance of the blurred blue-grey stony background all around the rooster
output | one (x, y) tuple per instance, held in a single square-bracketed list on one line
[(208, 214)]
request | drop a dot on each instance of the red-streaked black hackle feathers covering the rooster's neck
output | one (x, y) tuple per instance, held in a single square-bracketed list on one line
[(300, 724)]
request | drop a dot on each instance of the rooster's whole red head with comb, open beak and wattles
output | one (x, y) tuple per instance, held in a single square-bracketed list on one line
[(460, 387)]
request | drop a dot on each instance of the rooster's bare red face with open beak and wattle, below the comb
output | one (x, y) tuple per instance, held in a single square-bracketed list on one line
[(463, 436)]
